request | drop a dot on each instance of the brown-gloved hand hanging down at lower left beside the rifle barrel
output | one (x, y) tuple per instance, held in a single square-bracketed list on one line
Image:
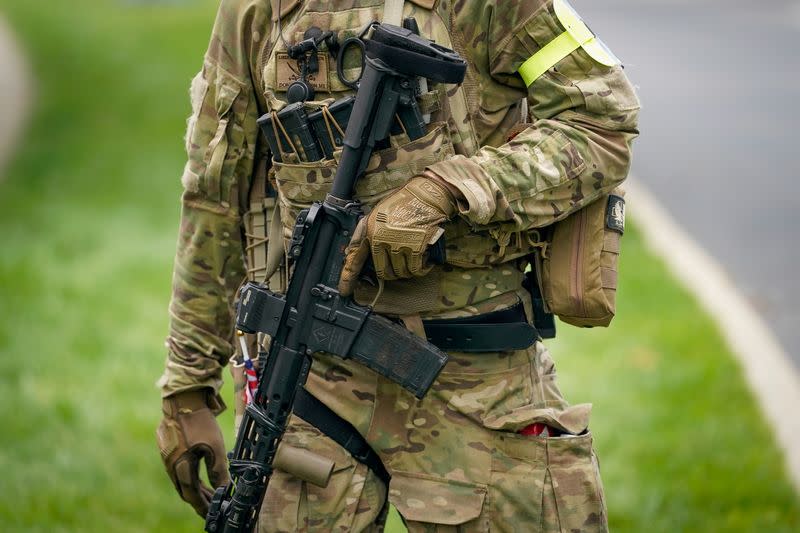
[(188, 433)]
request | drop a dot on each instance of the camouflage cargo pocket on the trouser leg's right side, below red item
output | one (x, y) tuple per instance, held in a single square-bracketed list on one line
[(546, 484)]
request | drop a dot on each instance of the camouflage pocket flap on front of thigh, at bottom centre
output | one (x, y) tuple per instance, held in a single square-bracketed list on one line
[(425, 499)]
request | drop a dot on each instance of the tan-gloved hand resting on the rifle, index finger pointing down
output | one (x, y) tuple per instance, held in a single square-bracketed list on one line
[(398, 231)]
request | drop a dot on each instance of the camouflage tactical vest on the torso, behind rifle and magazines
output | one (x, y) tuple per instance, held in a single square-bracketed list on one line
[(481, 264)]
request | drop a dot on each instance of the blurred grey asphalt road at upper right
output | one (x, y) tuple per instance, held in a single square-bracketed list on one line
[(719, 82)]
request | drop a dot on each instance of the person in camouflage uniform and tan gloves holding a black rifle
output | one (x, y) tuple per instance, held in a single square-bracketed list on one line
[(456, 458)]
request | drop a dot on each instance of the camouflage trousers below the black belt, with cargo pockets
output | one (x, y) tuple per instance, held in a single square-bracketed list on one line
[(456, 459)]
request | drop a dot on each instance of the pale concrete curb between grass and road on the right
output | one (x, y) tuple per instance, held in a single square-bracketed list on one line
[(769, 372)]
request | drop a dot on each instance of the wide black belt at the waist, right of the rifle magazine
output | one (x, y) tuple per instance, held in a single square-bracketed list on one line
[(507, 329)]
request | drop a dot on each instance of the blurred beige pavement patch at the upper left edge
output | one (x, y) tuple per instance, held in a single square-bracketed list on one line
[(15, 93)]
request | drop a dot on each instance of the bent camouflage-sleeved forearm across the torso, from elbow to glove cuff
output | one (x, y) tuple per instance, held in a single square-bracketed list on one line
[(548, 171)]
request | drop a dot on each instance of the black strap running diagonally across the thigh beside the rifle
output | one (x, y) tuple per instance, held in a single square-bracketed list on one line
[(319, 415)]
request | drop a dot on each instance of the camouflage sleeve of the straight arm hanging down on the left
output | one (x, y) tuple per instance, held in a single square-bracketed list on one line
[(220, 143)]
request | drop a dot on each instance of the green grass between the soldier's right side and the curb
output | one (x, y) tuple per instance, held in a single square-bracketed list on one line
[(681, 443)]
